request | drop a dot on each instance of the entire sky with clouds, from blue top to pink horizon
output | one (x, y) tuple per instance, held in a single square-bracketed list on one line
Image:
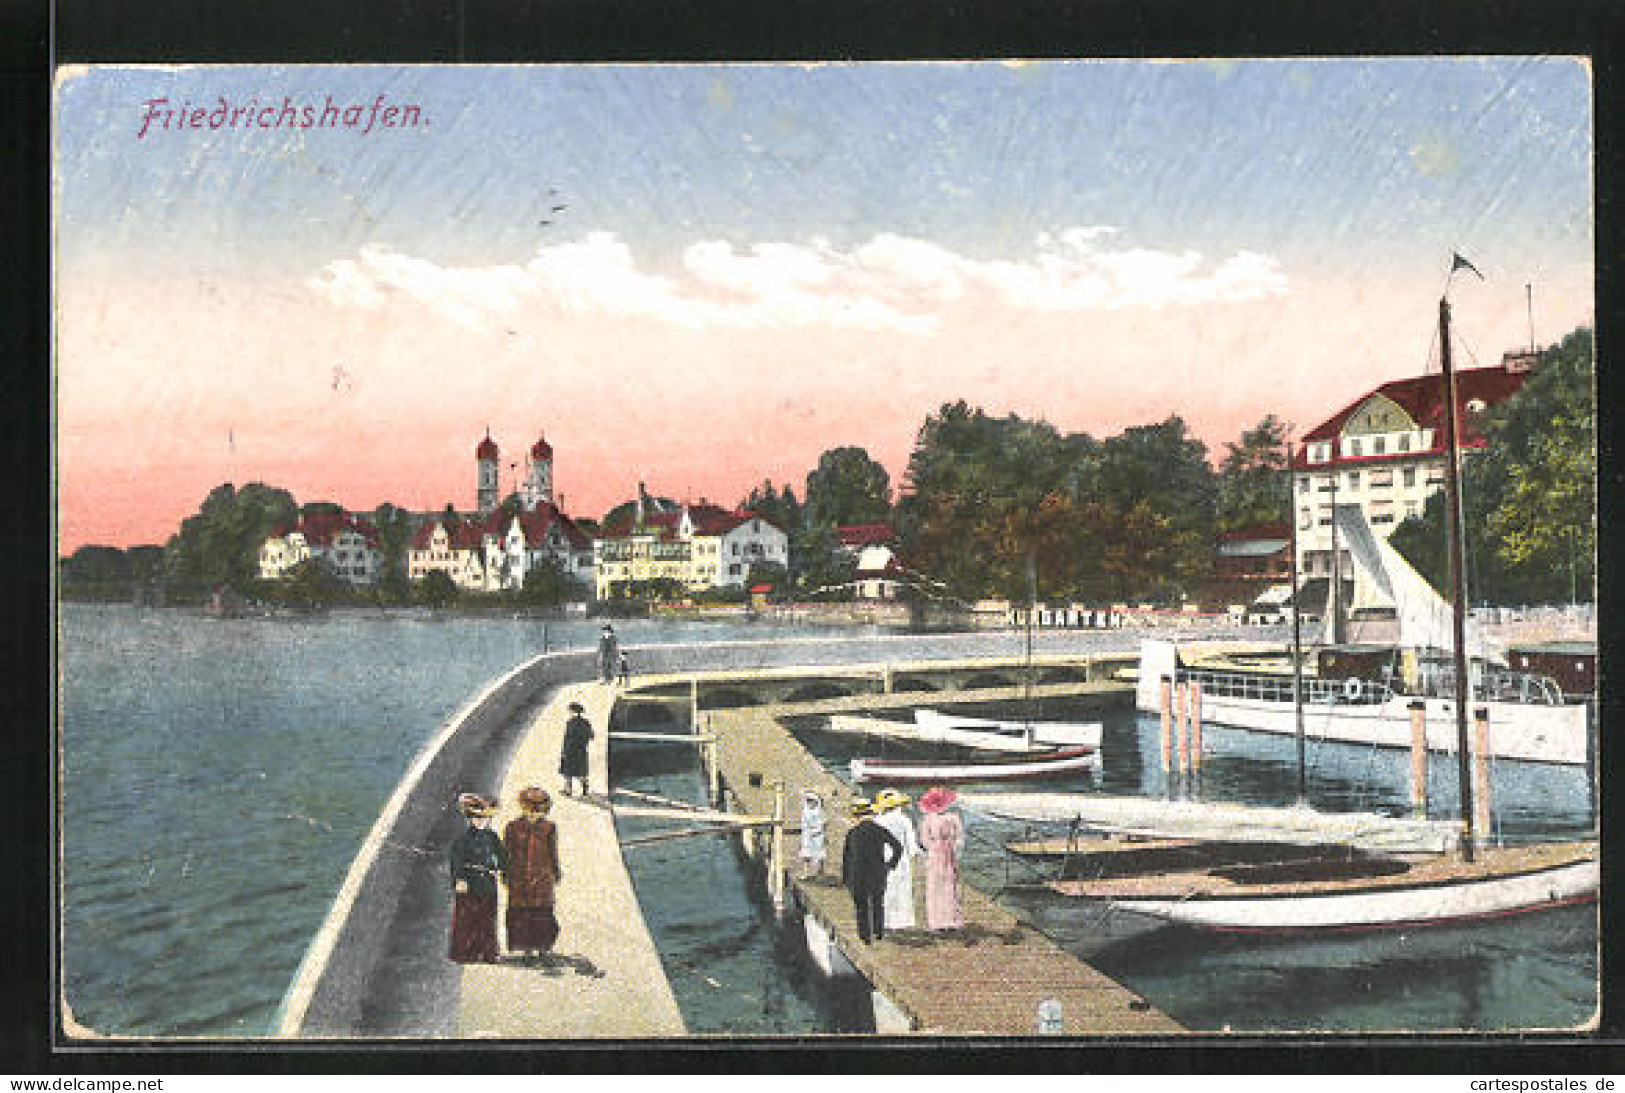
[(700, 277)]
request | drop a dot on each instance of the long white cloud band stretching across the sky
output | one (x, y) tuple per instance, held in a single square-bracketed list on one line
[(890, 283)]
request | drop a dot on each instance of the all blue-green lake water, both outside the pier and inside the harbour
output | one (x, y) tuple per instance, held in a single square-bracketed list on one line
[(220, 775)]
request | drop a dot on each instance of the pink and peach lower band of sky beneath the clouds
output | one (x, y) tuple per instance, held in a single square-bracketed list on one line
[(363, 405)]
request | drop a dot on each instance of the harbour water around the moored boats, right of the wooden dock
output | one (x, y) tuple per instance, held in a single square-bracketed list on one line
[(1525, 974)]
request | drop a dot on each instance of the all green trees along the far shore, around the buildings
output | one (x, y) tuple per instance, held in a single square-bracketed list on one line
[(989, 499)]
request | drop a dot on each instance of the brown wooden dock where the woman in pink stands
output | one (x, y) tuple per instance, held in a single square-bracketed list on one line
[(986, 980)]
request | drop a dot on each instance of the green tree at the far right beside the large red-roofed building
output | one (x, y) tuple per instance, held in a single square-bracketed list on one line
[(1528, 496)]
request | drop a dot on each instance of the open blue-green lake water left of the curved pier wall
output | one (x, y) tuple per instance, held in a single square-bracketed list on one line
[(219, 777)]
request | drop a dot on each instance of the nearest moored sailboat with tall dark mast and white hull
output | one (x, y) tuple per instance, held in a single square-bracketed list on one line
[(1325, 884)]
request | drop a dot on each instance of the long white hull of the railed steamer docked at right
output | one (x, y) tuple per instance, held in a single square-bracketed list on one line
[(1522, 732)]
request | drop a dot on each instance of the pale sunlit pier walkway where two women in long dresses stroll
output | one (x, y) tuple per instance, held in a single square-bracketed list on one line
[(605, 977)]
